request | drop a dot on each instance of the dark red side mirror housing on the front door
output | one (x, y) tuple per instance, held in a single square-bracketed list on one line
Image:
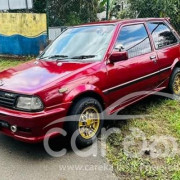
[(118, 56)]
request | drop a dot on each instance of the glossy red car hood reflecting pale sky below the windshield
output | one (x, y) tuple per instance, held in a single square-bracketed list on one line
[(34, 75)]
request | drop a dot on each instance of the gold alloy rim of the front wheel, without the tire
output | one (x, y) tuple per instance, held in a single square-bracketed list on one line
[(89, 122)]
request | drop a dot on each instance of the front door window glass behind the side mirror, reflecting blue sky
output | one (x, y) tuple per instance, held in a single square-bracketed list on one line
[(134, 39)]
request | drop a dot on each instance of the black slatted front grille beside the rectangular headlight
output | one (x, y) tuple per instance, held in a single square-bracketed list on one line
[(7, 99)]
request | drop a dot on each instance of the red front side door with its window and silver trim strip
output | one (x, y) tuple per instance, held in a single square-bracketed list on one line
[(138, 73)]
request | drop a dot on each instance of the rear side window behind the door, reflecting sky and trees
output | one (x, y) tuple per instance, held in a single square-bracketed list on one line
[(161, 34)]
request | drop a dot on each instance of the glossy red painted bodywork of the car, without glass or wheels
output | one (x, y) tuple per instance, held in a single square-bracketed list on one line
[(99, 79)]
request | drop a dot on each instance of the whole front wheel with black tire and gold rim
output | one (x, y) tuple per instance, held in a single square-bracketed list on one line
[(85, 114)]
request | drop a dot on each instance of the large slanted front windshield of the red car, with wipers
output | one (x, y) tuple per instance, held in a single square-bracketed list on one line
[(78, 43)]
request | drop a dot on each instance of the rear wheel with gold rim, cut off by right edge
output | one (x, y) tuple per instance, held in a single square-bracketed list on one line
[(174, 84)]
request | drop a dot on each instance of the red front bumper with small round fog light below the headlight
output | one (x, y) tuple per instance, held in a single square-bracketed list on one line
[(32, 127)]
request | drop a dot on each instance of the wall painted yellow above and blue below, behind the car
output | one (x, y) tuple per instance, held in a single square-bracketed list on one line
[(22, 33)]
